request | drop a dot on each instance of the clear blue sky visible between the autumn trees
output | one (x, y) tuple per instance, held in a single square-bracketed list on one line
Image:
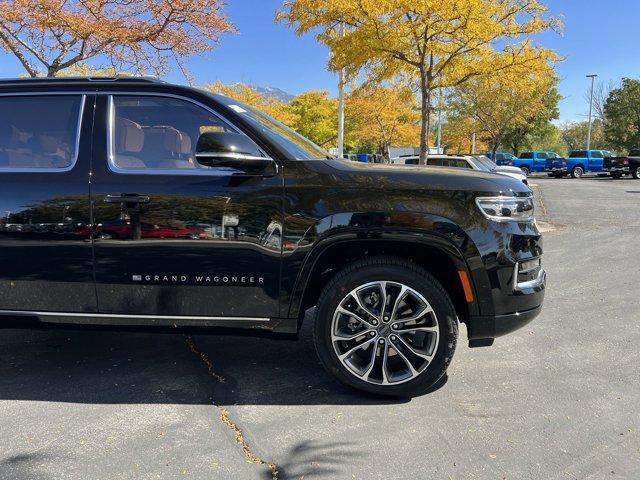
[(599, 37)]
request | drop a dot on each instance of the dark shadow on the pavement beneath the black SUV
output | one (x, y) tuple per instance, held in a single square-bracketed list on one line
[(110, 367)]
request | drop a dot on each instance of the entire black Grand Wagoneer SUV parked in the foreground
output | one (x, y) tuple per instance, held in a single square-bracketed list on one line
[(133, 202)]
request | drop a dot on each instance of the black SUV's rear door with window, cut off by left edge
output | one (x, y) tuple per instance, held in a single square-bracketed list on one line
[(45, 250)]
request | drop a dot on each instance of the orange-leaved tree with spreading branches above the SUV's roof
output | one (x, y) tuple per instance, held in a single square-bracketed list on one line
[(143, 36)]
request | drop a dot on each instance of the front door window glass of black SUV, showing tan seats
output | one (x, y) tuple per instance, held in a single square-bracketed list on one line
[(159, 133)]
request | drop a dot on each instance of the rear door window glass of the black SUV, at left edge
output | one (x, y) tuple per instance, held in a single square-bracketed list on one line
[(39, 132)]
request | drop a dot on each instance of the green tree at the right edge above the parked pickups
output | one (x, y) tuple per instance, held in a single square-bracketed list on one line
[(622, 111)]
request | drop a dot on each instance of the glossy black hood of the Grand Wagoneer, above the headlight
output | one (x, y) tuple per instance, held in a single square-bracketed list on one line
[(429, 178)]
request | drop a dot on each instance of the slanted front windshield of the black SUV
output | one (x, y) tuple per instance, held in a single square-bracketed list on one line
[(295, 144)]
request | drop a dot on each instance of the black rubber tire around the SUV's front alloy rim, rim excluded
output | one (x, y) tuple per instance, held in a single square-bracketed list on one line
[(393, 270)]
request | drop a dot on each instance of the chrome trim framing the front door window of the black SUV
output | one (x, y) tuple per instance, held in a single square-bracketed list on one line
[(194, 172)]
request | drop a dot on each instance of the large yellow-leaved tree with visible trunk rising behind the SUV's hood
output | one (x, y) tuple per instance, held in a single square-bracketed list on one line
[(440, 44)]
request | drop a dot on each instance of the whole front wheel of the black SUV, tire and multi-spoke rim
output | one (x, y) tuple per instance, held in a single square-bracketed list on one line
[(386, 327)]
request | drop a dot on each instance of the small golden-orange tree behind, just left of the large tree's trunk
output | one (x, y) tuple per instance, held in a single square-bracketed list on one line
[(383, 116)]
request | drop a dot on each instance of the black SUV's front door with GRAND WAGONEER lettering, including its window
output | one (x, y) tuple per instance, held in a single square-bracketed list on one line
[(171, 237)]
